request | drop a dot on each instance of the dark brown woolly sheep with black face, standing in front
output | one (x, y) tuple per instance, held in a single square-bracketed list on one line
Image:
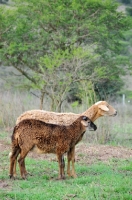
[(47, 138)]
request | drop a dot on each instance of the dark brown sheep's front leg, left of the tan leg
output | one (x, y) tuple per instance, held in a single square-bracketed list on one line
[(61, 163)]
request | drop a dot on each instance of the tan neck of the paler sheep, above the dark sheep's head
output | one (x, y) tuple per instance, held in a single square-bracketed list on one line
[(92, 113)]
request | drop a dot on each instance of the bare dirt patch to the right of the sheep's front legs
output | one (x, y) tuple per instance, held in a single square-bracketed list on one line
[(91, 154)]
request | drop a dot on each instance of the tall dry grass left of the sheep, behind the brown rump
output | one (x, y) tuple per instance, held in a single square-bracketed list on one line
[(12, 105)]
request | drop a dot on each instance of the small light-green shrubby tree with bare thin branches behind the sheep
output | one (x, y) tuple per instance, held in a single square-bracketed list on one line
[(59, 72)]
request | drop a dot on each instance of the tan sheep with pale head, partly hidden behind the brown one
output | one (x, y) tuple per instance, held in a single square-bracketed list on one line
[(99, 109)]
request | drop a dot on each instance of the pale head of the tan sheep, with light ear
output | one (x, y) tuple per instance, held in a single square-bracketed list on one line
[(104, 109)]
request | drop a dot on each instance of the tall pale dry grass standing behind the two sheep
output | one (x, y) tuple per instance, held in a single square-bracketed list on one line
[(111, 130)]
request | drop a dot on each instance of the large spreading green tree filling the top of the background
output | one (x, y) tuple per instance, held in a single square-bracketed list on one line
[(33, 31)]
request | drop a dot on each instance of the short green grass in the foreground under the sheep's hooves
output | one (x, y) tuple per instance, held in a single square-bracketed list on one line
[(111, 180)]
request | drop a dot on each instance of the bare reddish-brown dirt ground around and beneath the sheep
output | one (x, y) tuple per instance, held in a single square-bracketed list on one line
[(85, 154)]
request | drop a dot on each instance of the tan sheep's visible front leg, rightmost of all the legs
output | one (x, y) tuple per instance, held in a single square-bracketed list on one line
[(71, 157)]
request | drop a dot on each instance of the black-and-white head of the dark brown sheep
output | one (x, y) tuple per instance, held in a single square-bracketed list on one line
[(87, 123)]
